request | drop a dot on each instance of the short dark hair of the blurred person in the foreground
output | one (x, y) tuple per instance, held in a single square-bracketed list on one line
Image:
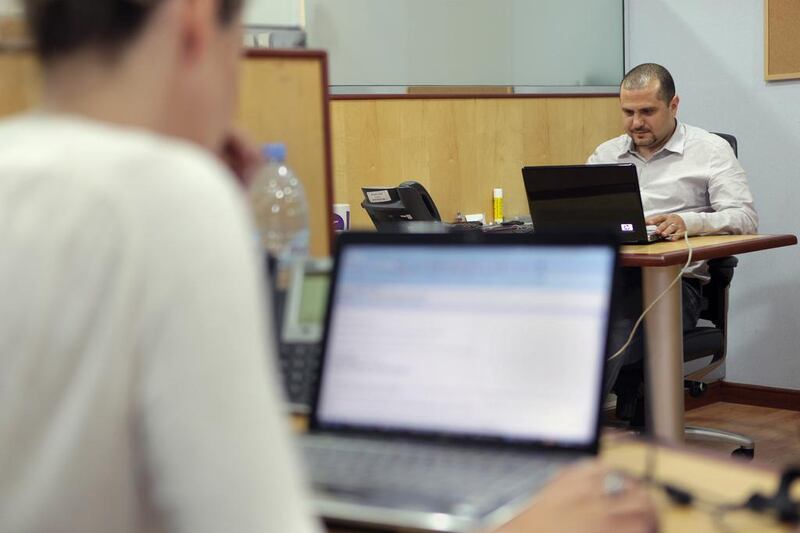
[(61, 27)]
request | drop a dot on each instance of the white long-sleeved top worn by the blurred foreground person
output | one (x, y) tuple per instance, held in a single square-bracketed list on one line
[(136, 392)]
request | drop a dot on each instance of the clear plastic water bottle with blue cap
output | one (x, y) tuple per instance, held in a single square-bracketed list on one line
[(280, 208)]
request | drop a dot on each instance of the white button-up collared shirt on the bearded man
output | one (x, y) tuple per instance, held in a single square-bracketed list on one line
[(695, 175)]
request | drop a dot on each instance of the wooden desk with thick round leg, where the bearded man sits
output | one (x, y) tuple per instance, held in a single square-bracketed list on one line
[(661, 263)]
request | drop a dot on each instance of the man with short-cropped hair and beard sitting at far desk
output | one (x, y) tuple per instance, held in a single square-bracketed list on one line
[(690, 182)]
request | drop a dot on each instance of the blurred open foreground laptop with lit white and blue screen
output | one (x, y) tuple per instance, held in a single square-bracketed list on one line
[(459, 373)]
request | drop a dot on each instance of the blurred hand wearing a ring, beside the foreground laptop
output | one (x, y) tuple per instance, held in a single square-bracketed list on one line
[(591, 499)]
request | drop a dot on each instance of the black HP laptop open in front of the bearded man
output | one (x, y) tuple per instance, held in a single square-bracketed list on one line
[(600, 197)]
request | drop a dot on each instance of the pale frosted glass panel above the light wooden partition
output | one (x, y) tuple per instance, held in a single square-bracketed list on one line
[(545, 43)]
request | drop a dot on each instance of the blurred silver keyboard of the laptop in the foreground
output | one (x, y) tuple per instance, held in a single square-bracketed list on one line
[(442, 475)]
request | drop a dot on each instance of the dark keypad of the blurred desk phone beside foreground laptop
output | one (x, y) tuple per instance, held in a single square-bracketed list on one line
[(300, 369)]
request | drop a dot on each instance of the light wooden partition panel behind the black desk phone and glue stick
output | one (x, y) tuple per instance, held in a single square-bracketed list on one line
[(461, 148)]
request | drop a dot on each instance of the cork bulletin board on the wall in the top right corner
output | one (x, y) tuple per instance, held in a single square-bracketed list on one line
[(781, 39)]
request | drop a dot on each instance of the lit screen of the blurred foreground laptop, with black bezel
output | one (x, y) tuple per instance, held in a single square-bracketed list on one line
[(504, 341)]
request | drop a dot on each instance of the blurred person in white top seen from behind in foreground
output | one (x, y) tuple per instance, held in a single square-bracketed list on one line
[(135, 393)]
